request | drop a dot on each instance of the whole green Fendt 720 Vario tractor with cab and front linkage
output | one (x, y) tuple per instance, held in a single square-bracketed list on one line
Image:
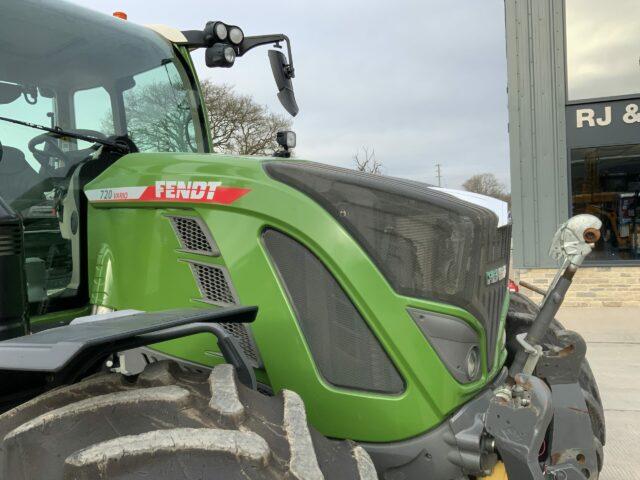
[(171, 313)]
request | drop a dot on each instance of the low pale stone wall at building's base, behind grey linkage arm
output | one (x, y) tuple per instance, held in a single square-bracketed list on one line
[(592, 286)]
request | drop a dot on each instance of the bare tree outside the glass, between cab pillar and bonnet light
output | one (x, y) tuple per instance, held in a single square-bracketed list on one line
[(238, 124)]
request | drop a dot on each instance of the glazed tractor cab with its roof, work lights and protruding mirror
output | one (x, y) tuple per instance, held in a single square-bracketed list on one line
[(91, 83)]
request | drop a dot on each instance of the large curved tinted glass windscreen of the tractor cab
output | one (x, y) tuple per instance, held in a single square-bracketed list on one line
[(82, 70)]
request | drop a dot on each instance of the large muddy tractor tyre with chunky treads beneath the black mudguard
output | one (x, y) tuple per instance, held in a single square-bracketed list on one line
[(167, 423)]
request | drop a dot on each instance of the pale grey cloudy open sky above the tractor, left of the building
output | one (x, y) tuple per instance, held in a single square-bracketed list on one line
[(422, 82)]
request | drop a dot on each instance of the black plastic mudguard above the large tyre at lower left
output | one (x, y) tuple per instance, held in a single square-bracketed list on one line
[(32, 364)]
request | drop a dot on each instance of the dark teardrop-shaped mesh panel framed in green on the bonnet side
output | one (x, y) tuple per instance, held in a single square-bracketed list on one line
[(344, 349)]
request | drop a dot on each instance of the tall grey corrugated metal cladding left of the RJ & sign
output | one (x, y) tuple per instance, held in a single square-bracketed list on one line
[(537, 133)]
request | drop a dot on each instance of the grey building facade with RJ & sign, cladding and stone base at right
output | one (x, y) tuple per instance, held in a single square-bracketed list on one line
[(574, 132)]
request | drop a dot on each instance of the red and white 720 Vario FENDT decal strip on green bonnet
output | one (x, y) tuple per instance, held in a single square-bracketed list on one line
[(196, 191)]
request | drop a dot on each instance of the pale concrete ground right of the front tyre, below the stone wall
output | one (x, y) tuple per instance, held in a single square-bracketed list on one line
[(613, 342)]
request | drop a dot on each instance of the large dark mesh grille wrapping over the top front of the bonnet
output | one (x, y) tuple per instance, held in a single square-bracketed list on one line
[(427, 243)]
